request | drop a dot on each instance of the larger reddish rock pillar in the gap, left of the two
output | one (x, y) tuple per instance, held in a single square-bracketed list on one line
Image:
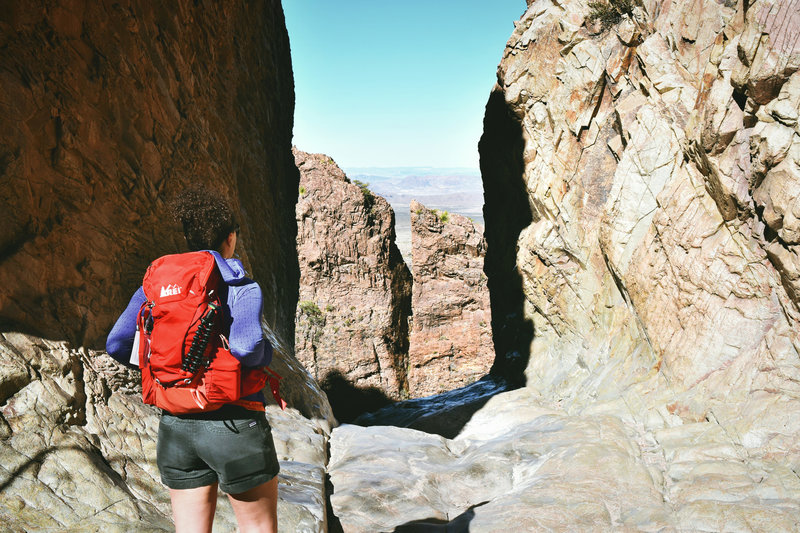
[(355, 288)]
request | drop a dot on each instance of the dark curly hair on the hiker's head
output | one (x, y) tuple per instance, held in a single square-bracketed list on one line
[(206, 217)]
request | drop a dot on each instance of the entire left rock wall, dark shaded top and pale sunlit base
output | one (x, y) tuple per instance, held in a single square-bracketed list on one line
[(108, 109)]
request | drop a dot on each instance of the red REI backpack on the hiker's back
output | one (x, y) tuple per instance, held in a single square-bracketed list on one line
[(186, 363)]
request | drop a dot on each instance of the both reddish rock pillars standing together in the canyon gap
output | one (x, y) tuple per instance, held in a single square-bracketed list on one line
[(356, 297)]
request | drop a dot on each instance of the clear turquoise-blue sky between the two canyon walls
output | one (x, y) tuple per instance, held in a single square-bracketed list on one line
[(382, 83)]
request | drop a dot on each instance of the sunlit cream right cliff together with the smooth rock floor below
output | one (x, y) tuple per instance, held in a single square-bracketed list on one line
[(641, 186)]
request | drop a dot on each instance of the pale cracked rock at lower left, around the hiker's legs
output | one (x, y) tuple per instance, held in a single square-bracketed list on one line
[(78, 446)]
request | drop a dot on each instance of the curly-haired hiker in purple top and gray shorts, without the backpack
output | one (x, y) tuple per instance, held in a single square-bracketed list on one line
[(230, 447)]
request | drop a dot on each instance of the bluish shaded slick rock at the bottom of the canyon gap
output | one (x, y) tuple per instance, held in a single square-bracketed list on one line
[(444, 414)]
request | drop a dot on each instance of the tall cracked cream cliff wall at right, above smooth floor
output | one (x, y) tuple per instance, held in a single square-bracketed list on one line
[(660, 177)]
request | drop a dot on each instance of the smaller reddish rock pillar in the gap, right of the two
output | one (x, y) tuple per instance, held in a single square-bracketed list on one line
[(451, 343)]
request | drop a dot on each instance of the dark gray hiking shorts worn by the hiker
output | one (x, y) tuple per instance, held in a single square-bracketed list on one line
[(232, 446)]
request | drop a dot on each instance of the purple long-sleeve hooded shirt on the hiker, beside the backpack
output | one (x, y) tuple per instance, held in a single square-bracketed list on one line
[(243, 311)]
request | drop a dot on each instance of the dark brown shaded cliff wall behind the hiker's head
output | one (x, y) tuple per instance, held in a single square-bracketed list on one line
[(109, 110)]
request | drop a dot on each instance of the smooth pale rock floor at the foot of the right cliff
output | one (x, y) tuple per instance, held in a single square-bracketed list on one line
[(521, 466)]
